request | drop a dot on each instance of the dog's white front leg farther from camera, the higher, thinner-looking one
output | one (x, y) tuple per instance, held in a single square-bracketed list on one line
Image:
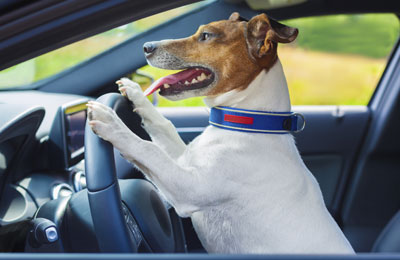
[(160, 129)]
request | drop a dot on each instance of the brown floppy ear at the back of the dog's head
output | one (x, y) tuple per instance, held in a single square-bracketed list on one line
[(263, 33)]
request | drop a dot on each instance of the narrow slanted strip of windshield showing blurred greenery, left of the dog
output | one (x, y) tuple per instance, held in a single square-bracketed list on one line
[(61, 59)]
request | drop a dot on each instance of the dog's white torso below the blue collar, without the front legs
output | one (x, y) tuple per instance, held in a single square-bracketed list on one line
[(259, 192)]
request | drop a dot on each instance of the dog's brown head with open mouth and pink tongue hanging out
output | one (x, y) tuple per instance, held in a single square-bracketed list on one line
[(219, 57)]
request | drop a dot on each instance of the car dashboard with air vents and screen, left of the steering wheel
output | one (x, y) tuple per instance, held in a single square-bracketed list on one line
[(41, 150)]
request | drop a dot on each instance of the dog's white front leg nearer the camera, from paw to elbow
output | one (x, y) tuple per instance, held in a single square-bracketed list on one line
[(177, 183)]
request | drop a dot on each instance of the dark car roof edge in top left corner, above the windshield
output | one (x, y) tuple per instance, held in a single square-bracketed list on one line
[(30, 31)]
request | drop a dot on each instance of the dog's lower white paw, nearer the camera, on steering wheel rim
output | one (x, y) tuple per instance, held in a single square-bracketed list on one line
[(104, 121)]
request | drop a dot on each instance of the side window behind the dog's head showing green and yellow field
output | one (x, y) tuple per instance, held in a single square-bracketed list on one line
[(336, 60)]
